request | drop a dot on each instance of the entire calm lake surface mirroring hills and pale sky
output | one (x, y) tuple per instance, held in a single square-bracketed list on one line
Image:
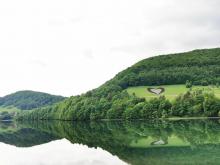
[(188, 142)]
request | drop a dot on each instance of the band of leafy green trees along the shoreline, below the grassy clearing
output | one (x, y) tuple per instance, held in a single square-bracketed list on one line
[(123, 106)]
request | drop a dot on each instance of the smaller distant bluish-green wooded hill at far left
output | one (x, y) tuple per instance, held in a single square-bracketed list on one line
[(27, 100)]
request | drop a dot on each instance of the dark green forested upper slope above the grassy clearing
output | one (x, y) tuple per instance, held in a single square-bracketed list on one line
[(202, 67)]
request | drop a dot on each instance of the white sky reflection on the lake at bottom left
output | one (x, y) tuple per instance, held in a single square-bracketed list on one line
[(73, 154)]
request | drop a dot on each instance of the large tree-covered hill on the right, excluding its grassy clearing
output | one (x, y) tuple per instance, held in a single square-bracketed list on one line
[(111, 100)]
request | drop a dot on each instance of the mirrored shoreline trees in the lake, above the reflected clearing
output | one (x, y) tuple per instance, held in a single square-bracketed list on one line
[(194, 132)]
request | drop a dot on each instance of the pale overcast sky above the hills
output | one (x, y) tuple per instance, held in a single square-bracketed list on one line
[(67, 47)]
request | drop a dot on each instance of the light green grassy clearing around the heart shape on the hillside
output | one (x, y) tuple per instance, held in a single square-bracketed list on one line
[(171, 91)]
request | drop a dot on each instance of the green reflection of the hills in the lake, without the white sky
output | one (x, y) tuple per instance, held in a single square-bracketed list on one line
[(187, 142)]
